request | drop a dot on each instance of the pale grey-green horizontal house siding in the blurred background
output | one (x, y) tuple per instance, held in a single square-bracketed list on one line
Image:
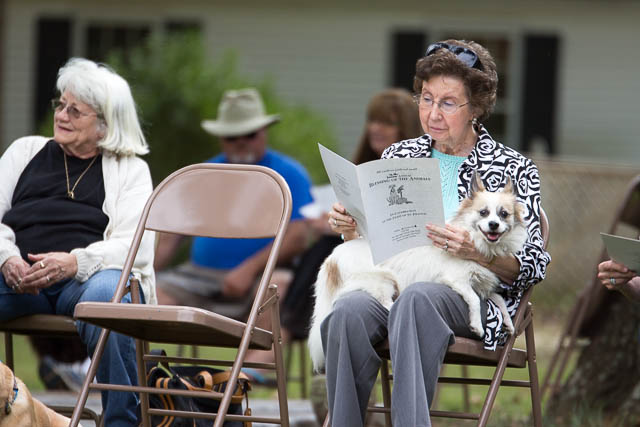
[(334, 57)]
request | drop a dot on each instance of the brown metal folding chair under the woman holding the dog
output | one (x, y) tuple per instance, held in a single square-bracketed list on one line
[(470, 352)]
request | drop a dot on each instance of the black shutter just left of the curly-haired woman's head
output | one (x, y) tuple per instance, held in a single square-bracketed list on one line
[(407, 47)]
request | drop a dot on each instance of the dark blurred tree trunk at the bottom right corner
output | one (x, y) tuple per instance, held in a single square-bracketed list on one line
[(606, 378)]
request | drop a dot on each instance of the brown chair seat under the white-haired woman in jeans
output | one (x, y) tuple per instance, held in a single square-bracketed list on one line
[(41, 324)]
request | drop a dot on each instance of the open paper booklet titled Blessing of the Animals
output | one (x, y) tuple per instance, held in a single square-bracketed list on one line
[(391, 199)]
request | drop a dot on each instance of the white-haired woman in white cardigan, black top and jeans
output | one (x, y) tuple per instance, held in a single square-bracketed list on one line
[(69, 207)]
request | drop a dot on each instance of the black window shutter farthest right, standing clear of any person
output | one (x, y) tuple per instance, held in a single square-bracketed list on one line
[(539, 91)]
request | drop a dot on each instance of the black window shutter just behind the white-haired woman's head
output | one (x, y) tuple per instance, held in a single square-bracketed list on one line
[(53, 50)]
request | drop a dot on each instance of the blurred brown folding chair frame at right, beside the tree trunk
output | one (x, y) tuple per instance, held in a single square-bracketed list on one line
[(586, 305)]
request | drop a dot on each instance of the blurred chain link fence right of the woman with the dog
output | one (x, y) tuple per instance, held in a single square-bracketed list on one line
[(581, 200)]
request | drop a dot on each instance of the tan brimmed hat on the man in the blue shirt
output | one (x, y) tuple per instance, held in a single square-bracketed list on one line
[(240, 112)]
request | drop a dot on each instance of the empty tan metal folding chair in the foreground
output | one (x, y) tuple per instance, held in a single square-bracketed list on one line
[(212, 200)]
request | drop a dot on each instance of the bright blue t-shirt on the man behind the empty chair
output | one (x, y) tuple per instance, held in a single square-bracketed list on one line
[(228, 253)]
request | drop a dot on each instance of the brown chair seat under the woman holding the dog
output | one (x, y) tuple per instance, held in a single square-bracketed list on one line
[(466, 351)]
